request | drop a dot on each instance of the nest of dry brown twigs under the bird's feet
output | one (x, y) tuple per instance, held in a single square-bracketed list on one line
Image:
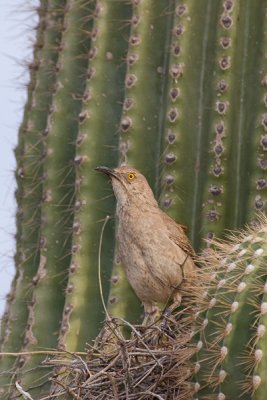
[(153, 363)]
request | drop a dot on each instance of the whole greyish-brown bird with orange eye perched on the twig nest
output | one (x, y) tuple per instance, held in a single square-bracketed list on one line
[(152, 247)]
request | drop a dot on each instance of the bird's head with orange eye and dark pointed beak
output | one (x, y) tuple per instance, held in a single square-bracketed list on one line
[(129, 185)]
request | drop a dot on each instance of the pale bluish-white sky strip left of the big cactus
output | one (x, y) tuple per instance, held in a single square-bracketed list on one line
[(16, 36)]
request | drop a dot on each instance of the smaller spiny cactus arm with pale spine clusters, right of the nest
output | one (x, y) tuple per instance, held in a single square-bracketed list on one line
[(231, 357)]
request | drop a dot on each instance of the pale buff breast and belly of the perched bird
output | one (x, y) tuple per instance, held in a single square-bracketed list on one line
[(150, 258)]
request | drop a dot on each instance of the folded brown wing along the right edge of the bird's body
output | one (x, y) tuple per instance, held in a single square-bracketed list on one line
[(177, 234)]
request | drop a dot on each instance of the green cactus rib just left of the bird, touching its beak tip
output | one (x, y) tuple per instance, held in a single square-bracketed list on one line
[(96, 144)]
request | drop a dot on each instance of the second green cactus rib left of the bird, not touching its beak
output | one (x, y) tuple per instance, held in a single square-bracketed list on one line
[(46, 307)]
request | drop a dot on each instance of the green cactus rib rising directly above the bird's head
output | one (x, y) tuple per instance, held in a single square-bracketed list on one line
[(142, 117)]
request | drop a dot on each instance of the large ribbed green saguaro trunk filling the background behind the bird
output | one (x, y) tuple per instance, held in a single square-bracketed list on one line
[(175, 88)]
